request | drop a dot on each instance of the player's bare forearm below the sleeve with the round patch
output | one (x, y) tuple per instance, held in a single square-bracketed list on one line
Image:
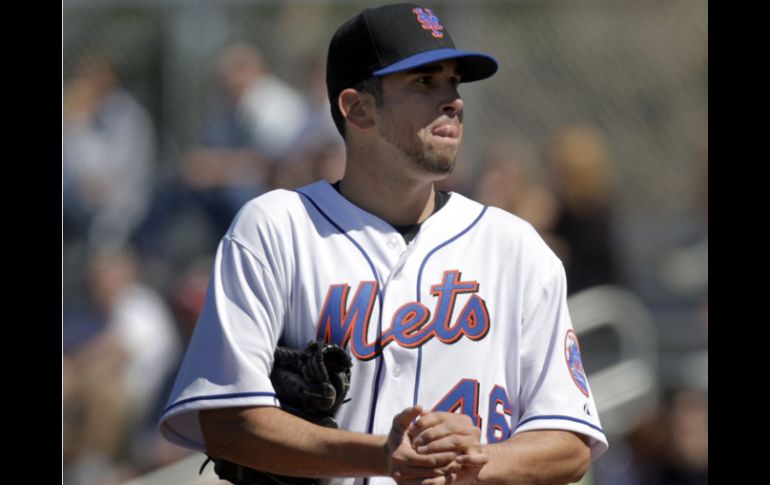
[(537, 457)]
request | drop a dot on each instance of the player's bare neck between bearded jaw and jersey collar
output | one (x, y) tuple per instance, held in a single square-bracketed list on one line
[(398, 201)]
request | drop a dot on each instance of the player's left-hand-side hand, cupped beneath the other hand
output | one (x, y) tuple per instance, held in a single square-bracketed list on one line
[(405, 464)]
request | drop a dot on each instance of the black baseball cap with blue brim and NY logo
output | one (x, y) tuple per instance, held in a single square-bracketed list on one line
[(393, 38)]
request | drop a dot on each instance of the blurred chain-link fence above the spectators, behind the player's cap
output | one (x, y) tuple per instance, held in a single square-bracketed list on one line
[(635, 70)]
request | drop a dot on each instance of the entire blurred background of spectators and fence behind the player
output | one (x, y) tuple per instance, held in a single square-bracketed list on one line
[(175, 113)]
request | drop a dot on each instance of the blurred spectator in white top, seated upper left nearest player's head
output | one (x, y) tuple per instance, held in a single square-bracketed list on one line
[(253, 127)]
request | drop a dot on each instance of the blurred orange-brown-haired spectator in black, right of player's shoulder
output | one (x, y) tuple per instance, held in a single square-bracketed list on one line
[(583, 230)]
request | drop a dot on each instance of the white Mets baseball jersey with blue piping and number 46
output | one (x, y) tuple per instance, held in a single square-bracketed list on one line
[(470, 316)]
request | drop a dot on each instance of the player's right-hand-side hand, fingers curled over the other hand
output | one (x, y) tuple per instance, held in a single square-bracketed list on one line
[(441, 432)]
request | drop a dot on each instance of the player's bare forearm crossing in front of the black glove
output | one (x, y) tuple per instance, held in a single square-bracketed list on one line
[(272, 440)]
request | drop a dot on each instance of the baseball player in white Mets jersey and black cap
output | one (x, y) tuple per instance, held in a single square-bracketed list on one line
[(465, 364)]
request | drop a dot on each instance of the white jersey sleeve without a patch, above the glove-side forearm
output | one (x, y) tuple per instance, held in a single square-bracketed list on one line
[(230, 354)]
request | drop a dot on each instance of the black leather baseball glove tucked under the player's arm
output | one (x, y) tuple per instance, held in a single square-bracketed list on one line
[(311, 384)]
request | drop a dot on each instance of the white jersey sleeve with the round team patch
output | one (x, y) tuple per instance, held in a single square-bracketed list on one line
[(554, 391)]
